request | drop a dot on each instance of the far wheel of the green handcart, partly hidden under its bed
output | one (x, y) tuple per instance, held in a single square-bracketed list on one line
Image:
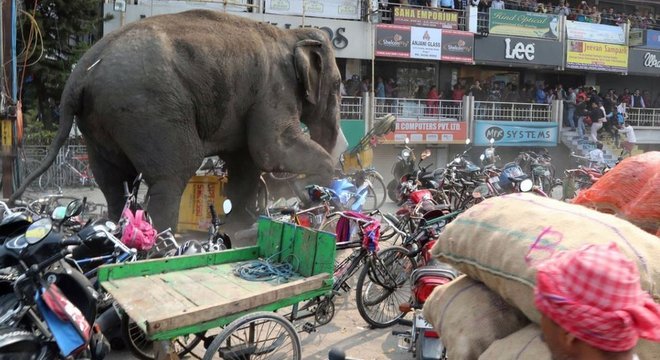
[(143, 348)]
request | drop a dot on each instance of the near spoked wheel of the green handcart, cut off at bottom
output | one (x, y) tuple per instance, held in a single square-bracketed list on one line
[(259, 335)]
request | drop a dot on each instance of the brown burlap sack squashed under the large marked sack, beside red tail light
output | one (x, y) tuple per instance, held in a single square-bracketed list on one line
[(469, 317)]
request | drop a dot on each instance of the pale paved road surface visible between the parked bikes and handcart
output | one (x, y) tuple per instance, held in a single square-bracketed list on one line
[(347, 330)]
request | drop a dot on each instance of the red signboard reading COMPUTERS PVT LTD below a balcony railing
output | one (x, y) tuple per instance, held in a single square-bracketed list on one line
[(421, 131)]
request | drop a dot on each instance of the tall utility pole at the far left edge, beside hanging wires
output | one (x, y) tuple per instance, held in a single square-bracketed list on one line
[(8, 88)]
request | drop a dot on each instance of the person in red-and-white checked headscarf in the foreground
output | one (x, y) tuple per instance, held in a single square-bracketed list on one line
[(593, 306)]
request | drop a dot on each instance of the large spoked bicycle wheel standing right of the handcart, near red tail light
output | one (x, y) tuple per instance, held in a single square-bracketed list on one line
[(383, 285)]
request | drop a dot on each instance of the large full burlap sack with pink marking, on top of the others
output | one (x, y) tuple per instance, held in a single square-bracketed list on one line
[(499, 241)]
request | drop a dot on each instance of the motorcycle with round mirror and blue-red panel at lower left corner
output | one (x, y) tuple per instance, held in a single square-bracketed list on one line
[(50, 306)]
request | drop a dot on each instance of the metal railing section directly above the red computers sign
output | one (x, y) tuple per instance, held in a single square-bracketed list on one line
[(444, 110)]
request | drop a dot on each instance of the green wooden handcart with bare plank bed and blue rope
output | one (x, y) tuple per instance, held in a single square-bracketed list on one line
[(177, 296)]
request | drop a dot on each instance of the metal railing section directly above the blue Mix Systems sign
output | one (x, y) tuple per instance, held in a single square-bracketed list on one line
[(505, 111)]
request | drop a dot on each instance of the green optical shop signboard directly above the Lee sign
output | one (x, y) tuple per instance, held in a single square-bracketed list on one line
[(518, 23)]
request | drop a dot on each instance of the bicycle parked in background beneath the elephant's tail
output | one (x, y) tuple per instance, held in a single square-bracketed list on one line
[(69, 170)]
